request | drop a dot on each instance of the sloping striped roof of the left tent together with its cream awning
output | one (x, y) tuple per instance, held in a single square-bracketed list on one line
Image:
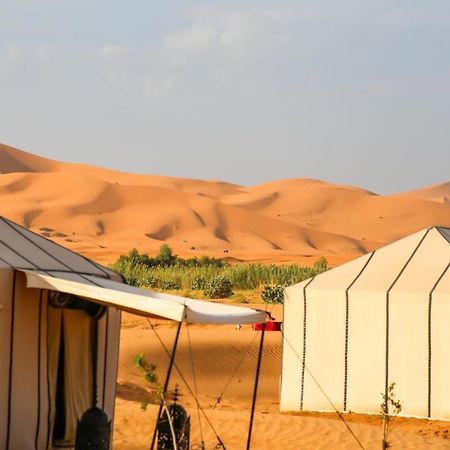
[(48, 265)]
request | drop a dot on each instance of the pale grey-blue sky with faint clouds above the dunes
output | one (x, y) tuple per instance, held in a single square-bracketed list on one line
[(351, 91)]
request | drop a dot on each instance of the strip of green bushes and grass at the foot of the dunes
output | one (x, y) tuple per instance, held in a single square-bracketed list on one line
[(207, 277)]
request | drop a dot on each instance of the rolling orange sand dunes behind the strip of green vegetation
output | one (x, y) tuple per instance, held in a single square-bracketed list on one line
[(102, 213)]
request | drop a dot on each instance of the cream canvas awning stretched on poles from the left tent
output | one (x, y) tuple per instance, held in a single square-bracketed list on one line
[(142, 302)]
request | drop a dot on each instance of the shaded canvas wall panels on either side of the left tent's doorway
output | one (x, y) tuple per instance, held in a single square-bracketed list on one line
[(24, 386)]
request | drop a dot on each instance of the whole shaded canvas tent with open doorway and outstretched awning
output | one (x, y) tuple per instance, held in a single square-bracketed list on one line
[(37, 339)]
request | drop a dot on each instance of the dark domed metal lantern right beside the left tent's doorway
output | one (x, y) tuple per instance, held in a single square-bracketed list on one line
[(93, 431)]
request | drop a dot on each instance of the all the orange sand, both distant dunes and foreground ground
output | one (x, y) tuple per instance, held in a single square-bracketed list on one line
[(103, 213)]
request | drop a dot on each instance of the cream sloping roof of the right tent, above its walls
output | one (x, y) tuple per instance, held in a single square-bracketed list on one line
[(418, 263)]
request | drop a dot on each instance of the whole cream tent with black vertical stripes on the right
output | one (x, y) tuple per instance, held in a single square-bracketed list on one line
[(383, 318)]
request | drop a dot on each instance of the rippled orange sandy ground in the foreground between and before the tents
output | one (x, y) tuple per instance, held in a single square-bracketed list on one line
[(223, 360)]
